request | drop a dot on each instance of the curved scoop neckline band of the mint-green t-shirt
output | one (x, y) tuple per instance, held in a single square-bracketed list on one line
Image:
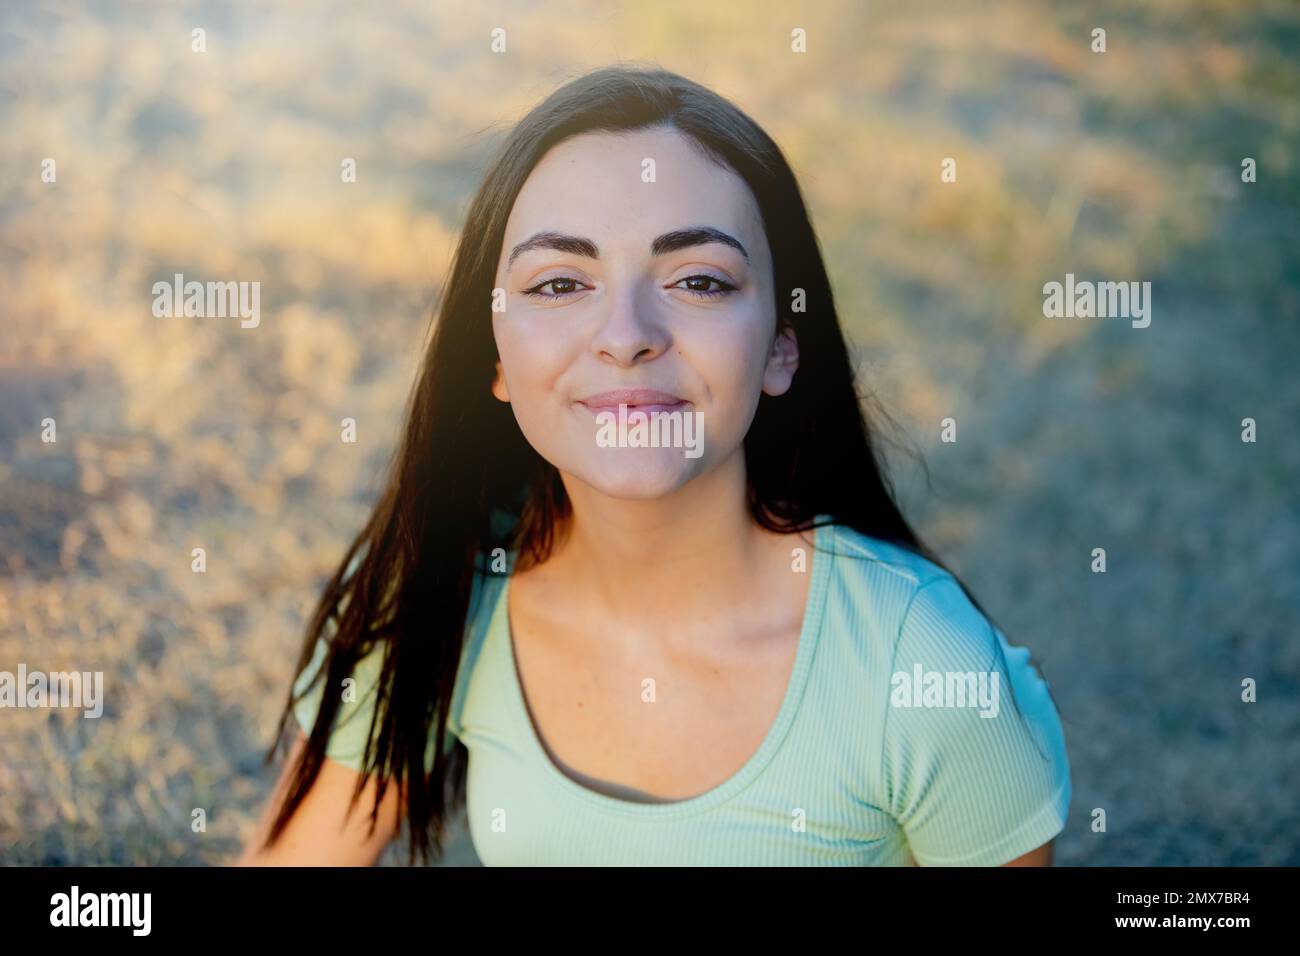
[(809, 634)]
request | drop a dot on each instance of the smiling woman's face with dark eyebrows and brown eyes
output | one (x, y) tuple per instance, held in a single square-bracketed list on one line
[(649, 285)]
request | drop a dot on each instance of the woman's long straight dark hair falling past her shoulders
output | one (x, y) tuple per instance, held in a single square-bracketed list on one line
[(463, 458)]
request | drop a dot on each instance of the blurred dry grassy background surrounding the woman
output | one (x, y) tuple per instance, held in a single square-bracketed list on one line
[(179, 434)]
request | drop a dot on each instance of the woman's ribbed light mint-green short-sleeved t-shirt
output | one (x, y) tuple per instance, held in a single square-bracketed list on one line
[(898, 734)]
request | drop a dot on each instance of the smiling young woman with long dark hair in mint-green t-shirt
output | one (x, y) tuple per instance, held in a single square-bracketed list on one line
[(722, 648)]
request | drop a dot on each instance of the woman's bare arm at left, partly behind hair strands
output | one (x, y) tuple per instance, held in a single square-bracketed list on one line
[(324, 830)]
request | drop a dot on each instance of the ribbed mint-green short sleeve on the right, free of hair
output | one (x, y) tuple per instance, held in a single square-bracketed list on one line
[(974, 759)]
